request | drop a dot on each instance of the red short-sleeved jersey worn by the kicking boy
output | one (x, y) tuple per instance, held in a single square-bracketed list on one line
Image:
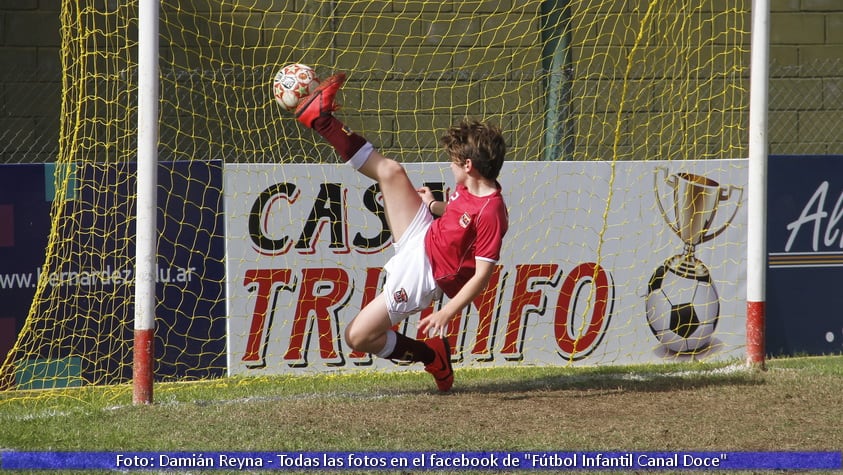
[(471, 228)]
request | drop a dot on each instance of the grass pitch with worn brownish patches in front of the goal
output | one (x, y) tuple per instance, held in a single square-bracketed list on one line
[(795, 405)]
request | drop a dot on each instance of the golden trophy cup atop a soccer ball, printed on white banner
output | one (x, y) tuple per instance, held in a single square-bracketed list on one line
[(682, 302)]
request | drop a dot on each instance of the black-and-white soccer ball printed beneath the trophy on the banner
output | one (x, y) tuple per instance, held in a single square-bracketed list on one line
[(682, 311)]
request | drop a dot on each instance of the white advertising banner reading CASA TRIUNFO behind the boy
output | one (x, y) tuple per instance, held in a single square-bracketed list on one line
[(604, 263)]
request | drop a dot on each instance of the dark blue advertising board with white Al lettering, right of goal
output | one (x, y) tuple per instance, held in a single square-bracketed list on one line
[(804, 255)]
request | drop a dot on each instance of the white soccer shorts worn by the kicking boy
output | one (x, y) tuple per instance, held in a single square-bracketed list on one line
[(409, 286)]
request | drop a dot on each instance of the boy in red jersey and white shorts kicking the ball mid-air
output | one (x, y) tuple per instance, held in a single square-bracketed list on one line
[(454, 254)]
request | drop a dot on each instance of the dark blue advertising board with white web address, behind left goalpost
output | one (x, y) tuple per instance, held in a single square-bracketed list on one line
[(87, 303)]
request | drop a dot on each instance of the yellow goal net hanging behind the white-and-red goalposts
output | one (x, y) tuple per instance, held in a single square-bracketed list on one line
[(625, 123)]
